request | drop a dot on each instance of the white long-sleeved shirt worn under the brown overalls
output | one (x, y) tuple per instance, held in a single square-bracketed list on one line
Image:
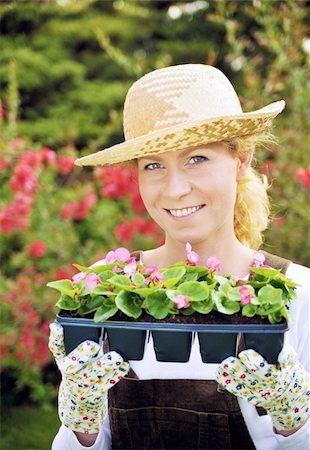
[(259, 427)]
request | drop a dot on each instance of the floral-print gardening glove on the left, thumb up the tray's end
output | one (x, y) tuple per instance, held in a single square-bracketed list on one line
[(86, 378)]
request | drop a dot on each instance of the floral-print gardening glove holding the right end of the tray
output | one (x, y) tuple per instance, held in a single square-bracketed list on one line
[(283, 390)]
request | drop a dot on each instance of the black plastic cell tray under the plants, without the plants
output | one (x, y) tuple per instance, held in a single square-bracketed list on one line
[(172, 341)]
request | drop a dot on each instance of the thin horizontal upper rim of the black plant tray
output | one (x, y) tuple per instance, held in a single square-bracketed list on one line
[(168, 326)]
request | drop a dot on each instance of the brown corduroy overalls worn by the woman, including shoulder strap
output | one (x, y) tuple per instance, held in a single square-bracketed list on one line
[(178, 414)]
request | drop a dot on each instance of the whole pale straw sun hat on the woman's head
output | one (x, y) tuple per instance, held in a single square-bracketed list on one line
[(179, 107)]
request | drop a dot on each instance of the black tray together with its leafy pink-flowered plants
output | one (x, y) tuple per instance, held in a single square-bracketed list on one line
[(124, 299)]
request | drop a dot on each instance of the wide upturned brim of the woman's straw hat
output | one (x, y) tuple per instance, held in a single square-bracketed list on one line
[(185, 135)]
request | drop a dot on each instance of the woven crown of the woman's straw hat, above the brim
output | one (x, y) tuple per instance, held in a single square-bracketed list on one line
[(176, 95)]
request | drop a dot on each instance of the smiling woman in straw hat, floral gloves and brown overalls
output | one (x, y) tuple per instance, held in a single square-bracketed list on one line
[(193, 146)]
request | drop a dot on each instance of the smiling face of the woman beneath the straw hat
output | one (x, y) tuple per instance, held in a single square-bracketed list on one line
[(191, 193)]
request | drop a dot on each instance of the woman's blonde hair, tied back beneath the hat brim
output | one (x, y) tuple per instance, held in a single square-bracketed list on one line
[(252, 207)]
